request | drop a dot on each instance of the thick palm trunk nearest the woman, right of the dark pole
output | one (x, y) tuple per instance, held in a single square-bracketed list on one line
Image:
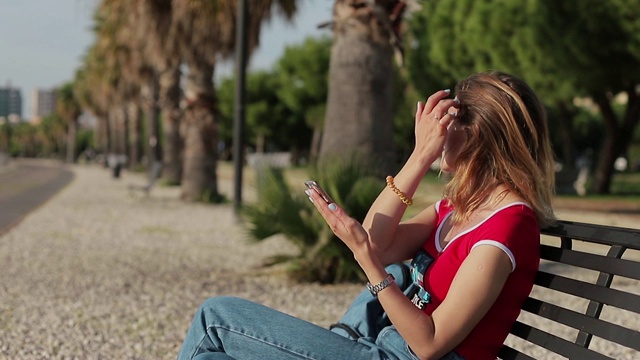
[(359, 118)]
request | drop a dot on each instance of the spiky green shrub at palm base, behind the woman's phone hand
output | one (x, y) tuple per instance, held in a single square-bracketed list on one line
[(322, 257)]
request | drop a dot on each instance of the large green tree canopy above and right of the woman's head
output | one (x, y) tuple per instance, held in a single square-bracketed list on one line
[(563, 50)]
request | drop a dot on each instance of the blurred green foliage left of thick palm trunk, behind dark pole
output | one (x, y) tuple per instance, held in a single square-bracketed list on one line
[(283, 104)]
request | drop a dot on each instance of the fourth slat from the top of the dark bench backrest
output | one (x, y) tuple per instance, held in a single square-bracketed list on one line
[(597, 327)]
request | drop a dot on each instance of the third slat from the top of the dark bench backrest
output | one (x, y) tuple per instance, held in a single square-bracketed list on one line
[(613, 297)]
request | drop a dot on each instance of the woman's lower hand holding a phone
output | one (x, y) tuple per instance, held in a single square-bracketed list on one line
[(343, 226)]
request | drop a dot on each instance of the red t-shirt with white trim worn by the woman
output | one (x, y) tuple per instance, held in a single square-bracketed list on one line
[(515, 230)]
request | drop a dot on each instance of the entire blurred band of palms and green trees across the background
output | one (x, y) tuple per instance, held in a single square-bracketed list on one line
[(148, 79)]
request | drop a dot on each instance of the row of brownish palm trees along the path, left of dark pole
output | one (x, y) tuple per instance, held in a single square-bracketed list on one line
[(134, 69)]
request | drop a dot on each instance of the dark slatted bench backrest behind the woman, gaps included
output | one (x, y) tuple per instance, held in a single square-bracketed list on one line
[(586, 300)]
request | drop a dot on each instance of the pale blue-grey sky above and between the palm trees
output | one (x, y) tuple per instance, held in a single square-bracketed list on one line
[(43, 42)]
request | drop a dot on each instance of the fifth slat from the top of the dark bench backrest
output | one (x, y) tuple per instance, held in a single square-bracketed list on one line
[(553, 343)]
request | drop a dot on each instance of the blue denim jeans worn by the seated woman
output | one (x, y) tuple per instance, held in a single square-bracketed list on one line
[(233, 328)]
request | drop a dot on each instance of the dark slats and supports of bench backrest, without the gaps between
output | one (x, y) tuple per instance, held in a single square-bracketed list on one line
[(599, 294)]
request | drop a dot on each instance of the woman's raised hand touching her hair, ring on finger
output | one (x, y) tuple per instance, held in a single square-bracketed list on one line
[(431, 122)]
